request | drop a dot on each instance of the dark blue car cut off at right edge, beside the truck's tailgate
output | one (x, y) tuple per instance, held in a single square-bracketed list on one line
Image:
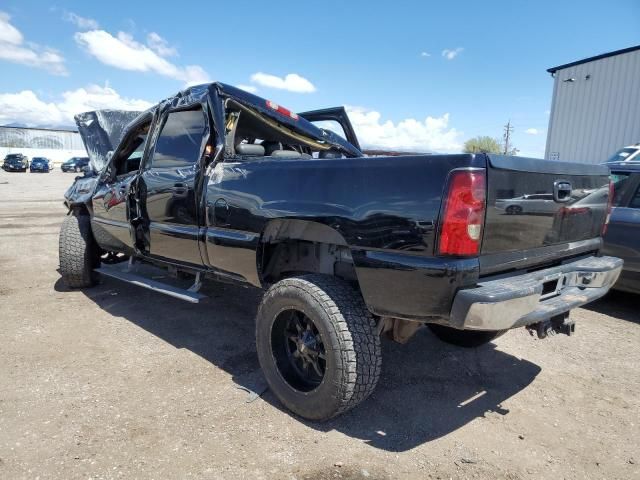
[(623, 233)]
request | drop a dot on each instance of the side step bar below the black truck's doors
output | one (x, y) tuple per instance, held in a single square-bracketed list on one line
[(141, 275)]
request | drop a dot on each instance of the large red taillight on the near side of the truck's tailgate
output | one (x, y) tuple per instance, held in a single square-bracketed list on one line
[(463, 214)]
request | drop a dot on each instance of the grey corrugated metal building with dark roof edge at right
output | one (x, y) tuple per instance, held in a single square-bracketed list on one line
[(595, 109)]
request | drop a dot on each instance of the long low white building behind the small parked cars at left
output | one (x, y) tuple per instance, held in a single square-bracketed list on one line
[(56, 145)]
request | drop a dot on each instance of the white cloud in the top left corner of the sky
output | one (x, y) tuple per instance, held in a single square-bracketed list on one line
[(14, 49)]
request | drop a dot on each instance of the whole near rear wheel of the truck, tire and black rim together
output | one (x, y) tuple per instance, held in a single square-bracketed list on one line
[(317, 345)]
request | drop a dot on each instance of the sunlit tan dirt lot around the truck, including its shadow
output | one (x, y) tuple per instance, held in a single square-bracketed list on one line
[(118, 382)]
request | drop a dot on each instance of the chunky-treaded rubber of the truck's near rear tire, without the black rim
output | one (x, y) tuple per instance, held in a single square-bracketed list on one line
[(348, 331)]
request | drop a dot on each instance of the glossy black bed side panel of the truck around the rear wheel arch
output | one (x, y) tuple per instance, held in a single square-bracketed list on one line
[(385, 208)]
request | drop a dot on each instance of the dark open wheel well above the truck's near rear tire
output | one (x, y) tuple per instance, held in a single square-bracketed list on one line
[(291, 247)]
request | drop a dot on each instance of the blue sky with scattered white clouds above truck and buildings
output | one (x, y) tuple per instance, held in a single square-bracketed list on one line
[(418, 75)]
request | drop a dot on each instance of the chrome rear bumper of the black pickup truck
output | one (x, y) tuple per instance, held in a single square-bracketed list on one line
[(516, 301)]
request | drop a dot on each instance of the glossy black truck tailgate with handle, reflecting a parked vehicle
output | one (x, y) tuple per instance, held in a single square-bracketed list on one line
[(536, 206)]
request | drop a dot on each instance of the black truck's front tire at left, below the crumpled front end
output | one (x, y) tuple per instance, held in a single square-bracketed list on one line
[(79, 253)]
